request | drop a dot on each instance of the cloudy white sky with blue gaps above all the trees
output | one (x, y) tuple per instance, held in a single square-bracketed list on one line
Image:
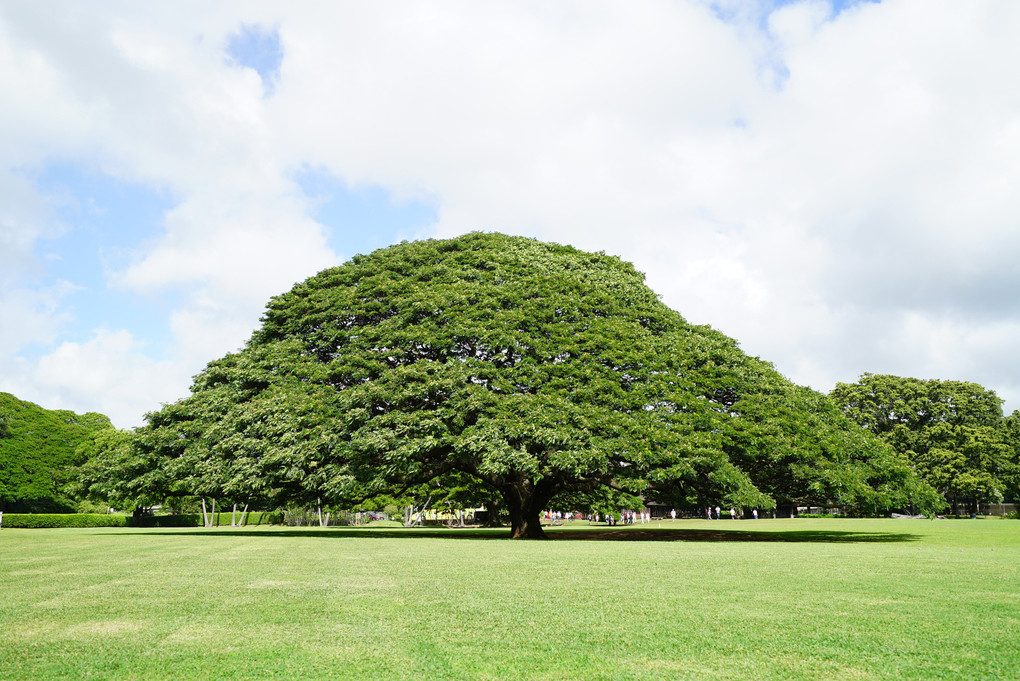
[(833, 184)]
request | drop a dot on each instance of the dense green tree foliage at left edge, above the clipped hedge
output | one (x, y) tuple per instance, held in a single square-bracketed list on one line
[(38, 454)]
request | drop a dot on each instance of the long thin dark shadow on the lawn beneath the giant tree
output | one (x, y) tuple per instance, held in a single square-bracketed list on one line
[(556, 535)]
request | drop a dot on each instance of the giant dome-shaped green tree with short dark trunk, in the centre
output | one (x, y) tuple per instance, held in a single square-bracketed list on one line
[(511, 368)]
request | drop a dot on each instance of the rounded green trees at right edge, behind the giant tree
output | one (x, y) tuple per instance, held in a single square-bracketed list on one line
[(953, 433)]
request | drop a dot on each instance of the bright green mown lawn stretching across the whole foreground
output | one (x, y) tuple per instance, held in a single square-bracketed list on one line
[(808, 600)]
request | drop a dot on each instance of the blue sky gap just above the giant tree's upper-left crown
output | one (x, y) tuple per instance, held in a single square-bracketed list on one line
[(365, 220)]
